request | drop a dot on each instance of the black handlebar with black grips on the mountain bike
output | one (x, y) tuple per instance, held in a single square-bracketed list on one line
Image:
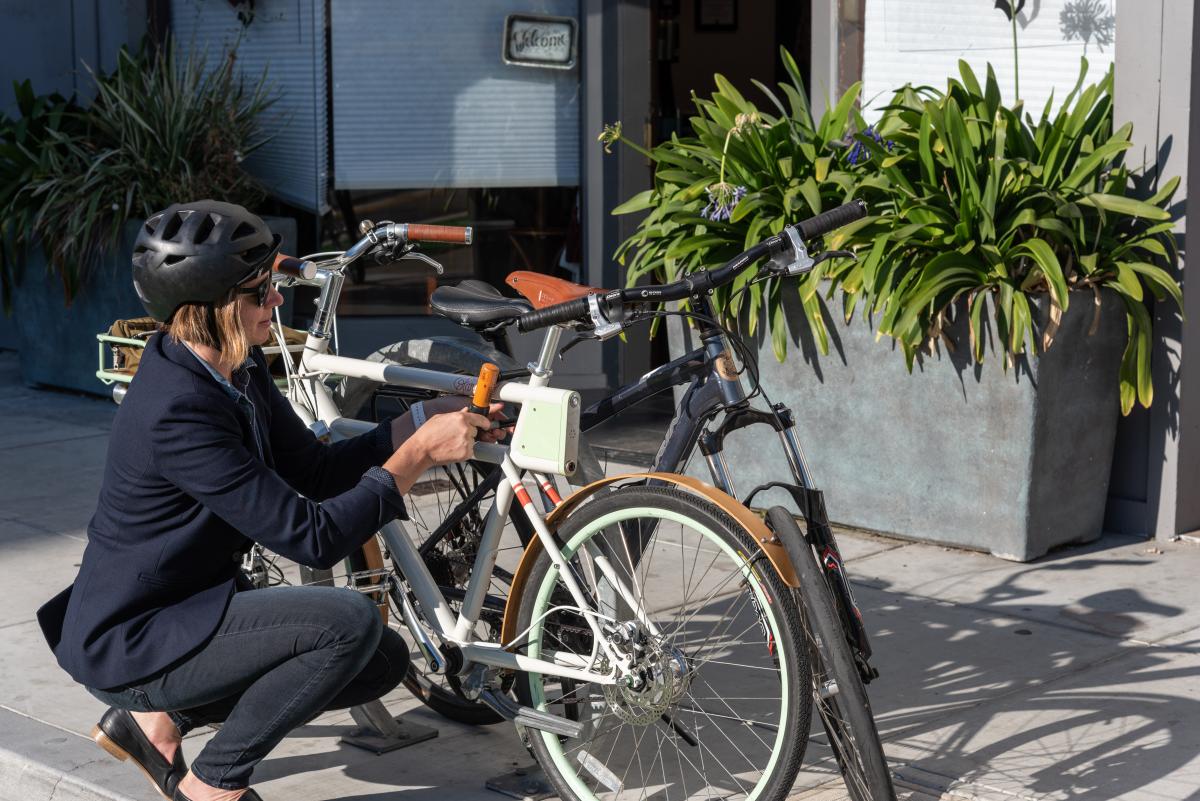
[(705, 281)]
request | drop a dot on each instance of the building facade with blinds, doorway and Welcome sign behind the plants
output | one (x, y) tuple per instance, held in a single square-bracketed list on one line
[(423, 113)]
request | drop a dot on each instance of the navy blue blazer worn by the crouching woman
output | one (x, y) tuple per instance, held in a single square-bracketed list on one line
[(184, 495)]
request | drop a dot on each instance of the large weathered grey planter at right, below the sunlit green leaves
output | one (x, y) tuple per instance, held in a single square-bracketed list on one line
[(1012, 463)]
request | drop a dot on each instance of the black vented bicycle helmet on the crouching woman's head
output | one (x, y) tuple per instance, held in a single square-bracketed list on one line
[(197, 252)]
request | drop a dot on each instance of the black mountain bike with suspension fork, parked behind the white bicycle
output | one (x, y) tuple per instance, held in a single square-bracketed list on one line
[(712, 406)]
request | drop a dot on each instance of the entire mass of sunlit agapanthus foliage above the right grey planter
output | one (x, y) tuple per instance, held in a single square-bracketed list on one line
[(973, 203)]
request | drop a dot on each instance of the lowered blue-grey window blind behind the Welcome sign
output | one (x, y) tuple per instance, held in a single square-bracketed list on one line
[(422, 99)]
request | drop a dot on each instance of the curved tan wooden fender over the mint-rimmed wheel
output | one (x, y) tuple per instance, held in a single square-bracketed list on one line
[(752, 523)]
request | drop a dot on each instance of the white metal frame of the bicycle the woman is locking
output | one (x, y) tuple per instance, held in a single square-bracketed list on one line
[(316, 365)]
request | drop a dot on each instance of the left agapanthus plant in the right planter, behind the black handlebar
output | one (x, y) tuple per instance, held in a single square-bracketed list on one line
[(746, 174)]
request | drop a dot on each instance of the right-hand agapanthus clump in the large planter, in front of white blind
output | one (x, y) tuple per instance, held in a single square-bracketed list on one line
[(982, 204)]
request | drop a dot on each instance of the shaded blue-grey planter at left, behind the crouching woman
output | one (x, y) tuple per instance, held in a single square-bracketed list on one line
[(57, 342)]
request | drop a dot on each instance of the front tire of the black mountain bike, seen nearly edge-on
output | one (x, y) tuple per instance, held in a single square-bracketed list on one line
[(847, 715)]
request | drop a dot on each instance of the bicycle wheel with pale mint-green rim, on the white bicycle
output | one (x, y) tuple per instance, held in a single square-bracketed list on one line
[(717, 704)]
